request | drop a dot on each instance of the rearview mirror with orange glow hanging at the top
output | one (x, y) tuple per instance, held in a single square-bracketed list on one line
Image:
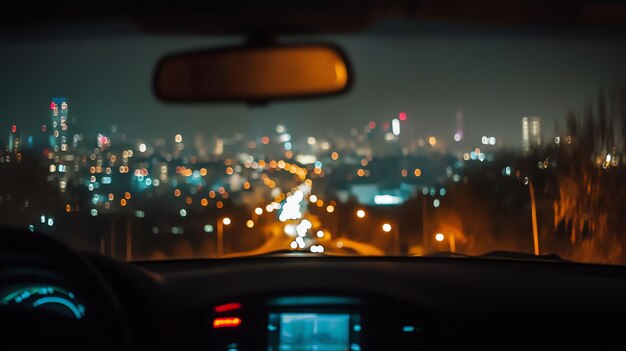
[(253, 74)]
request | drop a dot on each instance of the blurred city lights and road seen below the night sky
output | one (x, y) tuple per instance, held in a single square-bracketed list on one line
[(373, 191)]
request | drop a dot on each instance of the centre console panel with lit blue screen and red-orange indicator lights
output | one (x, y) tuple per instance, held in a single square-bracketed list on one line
[(333, 323)]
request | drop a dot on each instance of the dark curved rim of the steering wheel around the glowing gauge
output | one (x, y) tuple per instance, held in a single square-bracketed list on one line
[(26, 255)]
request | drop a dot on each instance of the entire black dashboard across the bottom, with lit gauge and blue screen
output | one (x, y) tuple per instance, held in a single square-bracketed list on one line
[(316, 303)]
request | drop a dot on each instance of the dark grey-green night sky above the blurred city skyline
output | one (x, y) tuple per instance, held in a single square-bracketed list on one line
[(429, 71)]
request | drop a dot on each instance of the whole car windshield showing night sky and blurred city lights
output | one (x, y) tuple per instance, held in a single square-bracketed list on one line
[(453, 139)]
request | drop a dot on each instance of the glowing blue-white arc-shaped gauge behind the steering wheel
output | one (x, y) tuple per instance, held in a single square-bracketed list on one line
[(50, 298)]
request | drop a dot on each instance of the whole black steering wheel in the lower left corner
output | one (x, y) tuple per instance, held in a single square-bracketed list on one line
[(36, 260)]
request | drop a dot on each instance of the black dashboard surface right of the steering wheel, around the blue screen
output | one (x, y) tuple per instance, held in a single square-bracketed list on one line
[(421, 303)]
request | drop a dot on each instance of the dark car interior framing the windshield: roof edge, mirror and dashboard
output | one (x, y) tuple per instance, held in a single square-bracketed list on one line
[(290, 300)]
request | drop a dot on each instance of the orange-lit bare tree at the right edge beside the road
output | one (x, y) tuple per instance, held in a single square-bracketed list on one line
[(588, 183)]
